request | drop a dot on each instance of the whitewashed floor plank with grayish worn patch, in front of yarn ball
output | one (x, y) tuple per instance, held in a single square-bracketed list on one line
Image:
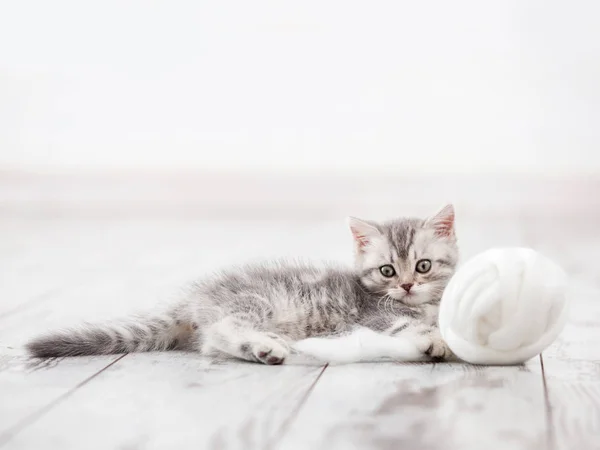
[(446, 406)]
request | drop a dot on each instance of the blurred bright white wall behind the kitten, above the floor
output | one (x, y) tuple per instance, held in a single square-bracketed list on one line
[(463, 86)]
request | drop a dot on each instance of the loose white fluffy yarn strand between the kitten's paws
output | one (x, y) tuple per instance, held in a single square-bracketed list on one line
[(361, 345)]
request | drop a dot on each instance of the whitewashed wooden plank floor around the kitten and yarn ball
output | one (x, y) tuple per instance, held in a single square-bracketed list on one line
[(56, 272)]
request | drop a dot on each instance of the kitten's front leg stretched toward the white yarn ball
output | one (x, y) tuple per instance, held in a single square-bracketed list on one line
[(427, 338)]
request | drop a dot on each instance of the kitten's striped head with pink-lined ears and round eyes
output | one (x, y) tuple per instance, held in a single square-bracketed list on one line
[(411, 260)]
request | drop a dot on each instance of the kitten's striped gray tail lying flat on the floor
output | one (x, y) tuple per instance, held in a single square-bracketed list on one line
[(137, 334)]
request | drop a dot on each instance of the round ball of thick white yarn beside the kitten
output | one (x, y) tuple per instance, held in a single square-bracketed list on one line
[(504, 306)]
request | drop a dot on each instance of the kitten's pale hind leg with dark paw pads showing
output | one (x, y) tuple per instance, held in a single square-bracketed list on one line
[(237, 336)]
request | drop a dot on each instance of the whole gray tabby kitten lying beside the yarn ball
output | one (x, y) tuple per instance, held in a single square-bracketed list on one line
[(255, 312)]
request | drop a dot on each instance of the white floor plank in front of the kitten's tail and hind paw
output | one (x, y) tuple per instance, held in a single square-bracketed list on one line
[(174, 400)]
